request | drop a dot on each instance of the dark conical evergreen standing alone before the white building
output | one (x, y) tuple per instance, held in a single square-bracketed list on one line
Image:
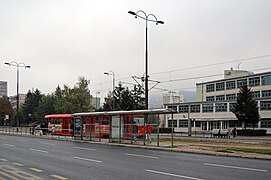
[(245, 108)]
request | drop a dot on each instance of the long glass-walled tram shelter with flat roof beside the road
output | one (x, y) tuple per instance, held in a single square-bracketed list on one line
[(135, 126)]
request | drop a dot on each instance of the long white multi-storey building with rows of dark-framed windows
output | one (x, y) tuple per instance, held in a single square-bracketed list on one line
[(212, 110)]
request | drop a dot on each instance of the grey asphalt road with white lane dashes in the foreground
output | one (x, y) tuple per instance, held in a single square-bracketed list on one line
[(34, 158)]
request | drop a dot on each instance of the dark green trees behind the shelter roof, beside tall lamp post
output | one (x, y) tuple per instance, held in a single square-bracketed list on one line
[(124, 99)]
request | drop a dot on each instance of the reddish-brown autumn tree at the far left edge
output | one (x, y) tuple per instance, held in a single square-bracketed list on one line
[(5, 109)]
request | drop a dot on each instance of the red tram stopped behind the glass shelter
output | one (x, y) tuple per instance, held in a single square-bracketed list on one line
[(98, 124)]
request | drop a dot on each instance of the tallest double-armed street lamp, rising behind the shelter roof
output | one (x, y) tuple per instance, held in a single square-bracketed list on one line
[(146, 18)]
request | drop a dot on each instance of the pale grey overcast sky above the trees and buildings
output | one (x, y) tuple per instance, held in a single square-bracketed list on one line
[(64, 39)]
